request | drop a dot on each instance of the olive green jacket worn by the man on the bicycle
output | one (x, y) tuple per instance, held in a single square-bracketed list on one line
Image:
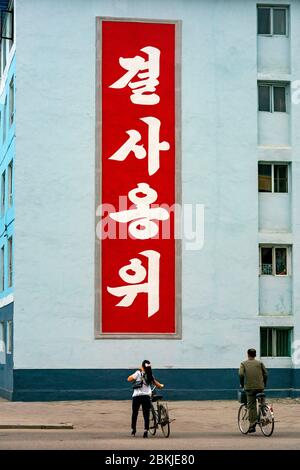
[(253, 375)]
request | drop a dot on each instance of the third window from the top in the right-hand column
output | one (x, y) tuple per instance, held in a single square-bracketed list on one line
[(273, 177)]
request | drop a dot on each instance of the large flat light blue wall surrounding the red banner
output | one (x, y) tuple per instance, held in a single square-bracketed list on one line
[(54, 235)]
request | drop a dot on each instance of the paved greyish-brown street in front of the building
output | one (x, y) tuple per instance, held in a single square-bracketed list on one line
[(105, 425)]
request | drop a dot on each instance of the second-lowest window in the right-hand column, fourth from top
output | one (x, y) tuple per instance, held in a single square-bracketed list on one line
[(274, 260)]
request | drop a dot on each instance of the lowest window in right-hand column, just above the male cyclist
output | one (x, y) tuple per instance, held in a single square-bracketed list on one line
[(275, 342)]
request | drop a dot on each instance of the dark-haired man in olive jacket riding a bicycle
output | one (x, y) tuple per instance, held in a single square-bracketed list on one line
[(253, 377)]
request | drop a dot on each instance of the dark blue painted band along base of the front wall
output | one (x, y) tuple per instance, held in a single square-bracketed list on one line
[(111, 384)]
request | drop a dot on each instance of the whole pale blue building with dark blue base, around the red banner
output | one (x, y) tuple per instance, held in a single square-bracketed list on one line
[(239, 119)]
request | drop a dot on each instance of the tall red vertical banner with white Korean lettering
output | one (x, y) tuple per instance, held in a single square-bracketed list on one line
[(137, 286)]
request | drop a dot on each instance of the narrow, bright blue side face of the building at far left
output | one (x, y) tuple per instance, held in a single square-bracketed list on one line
[(7, 218)]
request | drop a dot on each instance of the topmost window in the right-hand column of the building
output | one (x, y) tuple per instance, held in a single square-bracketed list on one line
[(272, 21)]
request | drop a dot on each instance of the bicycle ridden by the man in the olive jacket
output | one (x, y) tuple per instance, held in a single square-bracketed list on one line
[(265, 417)]
